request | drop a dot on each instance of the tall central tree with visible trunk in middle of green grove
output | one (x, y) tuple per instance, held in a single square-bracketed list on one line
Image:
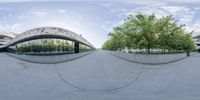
[(145, 29)]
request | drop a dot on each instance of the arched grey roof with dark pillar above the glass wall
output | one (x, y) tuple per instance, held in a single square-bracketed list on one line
[(48, 32)]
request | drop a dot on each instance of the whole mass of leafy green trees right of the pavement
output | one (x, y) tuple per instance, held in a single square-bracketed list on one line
[(148, 32)]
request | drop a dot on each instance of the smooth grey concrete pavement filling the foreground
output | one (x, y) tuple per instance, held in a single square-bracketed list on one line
[(99, 76)]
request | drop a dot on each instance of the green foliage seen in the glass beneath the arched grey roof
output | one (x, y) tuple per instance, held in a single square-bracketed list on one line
[(50, 46)]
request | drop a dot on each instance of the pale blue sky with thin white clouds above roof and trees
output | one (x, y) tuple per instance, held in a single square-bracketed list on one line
[(93, 19)]
